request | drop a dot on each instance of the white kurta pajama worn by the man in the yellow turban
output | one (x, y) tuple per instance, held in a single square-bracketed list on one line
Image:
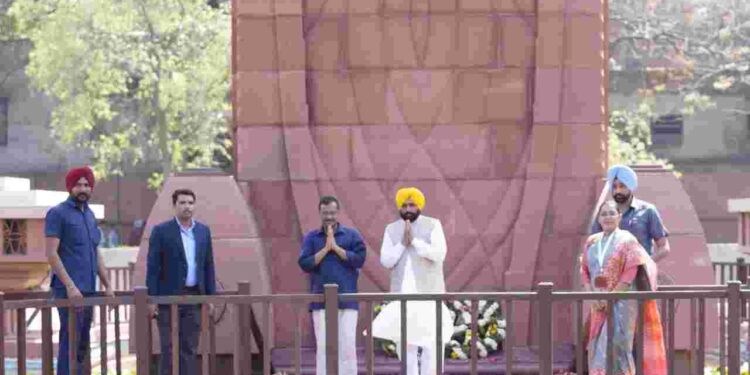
[(417, 268)]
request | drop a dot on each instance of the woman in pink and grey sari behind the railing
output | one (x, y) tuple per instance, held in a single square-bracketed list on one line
[(614, 261)]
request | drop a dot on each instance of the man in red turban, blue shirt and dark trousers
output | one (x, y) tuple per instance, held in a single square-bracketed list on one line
[(72, 241)]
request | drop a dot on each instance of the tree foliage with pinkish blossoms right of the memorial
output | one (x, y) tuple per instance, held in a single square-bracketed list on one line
[(695, 49)]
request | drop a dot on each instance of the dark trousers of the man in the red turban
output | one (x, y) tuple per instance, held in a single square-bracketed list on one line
[(84, 317)]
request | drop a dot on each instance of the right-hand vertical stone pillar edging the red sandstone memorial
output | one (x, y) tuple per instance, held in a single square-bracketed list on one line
[(569, 110)]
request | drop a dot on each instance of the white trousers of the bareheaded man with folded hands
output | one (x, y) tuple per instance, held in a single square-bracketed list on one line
[(347, 341)]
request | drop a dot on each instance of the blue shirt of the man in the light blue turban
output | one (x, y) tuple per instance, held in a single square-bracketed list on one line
[(643, 221)]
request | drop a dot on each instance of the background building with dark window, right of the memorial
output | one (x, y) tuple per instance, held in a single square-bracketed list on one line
[(711, 149)]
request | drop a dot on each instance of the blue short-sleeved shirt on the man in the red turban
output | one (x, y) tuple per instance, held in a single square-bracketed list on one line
[(79, 237)]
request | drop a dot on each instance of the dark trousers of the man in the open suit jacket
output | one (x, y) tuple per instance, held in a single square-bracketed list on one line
[(190, 329)]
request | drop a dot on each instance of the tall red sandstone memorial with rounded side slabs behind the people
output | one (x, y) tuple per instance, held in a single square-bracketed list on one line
[(495, 109)]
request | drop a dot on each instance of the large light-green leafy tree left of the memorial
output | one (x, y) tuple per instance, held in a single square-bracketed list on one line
[(134, 81)]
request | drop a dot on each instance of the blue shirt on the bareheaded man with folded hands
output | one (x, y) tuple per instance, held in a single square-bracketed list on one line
[(332, 269)]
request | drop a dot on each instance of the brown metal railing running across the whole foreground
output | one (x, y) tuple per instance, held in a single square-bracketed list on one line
[(545, 300)]
